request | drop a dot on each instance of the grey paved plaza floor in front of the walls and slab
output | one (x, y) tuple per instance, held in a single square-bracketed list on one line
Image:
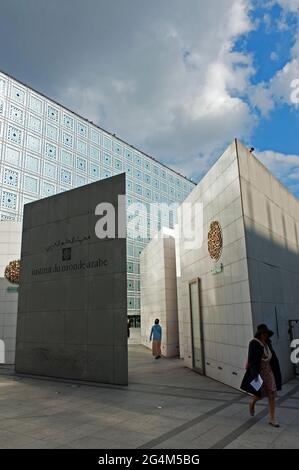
[(165, 406)]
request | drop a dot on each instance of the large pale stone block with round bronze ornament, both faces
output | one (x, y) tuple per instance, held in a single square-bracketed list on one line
[(245, 272)]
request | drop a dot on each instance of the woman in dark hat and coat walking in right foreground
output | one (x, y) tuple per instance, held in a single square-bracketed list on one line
[(262, 361)]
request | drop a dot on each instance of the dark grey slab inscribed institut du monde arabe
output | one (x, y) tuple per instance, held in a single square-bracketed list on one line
[(72, 320)]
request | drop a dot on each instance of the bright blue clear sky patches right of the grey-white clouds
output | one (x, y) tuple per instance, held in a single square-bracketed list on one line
[(271, 44)]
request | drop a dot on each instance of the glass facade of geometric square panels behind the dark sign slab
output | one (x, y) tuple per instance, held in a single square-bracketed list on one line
[(46, 149)]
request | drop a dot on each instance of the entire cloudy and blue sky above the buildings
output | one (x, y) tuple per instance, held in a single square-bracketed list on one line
[(179, 79)]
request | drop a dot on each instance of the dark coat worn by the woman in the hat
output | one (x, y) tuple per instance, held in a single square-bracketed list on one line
[(255, 354)]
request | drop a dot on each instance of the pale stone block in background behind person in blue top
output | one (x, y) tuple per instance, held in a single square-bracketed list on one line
[(159, 293)]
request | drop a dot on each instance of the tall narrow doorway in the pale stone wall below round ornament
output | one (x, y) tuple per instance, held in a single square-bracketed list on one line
[(196, 327)]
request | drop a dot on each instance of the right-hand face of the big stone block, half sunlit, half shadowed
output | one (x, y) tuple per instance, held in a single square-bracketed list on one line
[(271, 216)]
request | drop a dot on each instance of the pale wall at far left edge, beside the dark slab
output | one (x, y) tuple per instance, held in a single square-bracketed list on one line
[(10, 249)]
